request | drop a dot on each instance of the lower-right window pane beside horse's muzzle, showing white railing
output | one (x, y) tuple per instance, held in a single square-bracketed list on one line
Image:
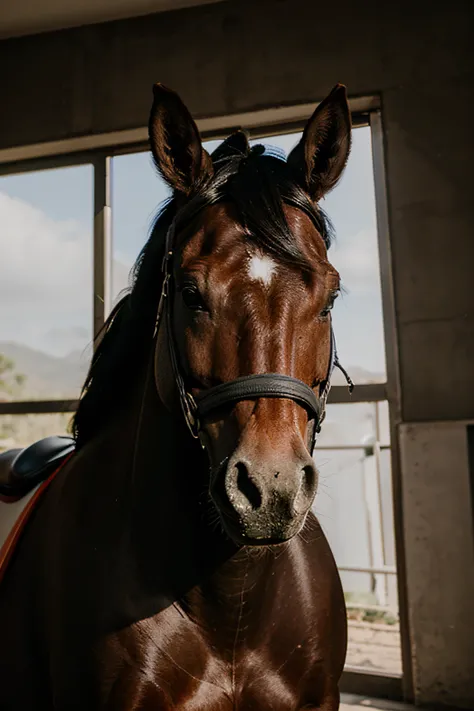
[(354, 507)]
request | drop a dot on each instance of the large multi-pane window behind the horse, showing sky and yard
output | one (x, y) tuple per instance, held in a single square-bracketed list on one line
[(46, 310)]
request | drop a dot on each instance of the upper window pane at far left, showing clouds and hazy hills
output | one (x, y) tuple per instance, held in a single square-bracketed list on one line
[(45, 282)]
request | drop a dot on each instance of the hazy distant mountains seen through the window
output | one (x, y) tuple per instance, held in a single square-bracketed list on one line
[(50, 377)]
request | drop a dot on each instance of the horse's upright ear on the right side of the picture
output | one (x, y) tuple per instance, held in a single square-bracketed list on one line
[(318, 160)]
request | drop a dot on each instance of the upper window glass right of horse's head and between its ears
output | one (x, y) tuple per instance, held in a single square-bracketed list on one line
[(357, 313)]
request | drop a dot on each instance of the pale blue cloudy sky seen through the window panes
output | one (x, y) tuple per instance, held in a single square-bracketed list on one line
[(46, 225)]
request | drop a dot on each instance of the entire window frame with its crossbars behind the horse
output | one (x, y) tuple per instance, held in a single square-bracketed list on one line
[(99, 150)]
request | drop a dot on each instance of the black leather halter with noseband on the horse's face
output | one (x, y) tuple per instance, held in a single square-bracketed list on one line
[(247, 387)]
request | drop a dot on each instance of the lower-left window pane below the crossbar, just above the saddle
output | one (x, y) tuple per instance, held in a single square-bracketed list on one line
[(23, 430)]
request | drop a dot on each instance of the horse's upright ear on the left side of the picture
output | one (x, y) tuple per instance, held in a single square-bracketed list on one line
[(176, 144)]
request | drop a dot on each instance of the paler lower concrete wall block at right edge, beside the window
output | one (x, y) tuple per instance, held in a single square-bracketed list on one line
[(440, 560)]
